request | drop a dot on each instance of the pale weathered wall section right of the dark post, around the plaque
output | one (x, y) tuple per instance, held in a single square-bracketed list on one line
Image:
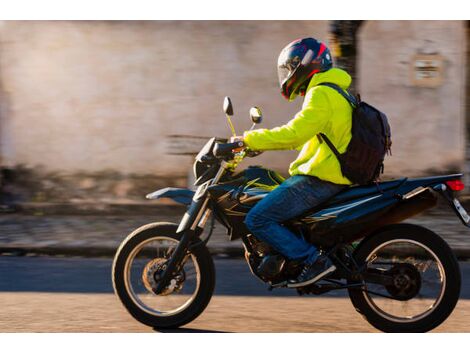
[(428, 124)]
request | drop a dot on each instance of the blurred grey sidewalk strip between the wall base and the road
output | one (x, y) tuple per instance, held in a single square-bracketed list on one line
[(86, 235)]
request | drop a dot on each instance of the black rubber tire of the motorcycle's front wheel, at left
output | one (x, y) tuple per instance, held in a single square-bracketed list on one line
[(204, 292)]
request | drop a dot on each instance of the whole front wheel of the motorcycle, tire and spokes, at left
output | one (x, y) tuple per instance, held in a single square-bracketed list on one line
[(137, 266)]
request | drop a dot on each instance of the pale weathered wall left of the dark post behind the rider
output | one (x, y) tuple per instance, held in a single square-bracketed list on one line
[(100, 98)]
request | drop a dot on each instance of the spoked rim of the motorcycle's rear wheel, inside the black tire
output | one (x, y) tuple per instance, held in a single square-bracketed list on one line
[(402, 254)]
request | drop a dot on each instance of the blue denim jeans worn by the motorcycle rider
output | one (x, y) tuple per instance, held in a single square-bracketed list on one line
[(292, 198)]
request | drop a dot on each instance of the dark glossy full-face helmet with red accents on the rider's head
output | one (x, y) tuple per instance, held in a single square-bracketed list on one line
[(298, 62)]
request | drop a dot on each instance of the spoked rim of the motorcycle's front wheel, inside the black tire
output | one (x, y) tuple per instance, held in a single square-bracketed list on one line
[(154, 251)]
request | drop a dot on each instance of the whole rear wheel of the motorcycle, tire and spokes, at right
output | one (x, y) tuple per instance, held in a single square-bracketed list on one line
[(422, 279)]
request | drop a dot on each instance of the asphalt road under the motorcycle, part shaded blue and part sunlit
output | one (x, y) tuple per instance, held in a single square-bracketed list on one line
[(45, 294)]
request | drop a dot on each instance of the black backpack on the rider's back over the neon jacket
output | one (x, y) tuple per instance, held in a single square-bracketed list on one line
[(362, 162)]
